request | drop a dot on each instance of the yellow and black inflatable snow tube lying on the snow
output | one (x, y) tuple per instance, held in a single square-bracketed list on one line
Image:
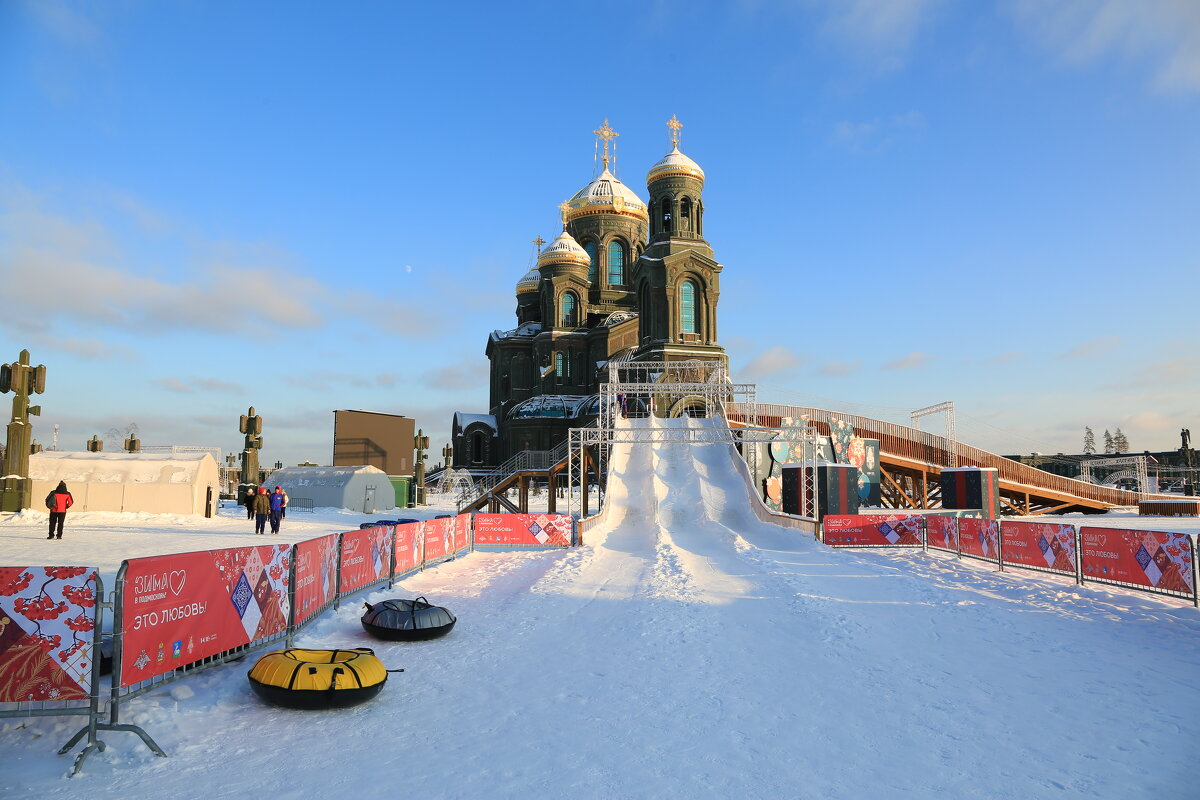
[(319, 679)]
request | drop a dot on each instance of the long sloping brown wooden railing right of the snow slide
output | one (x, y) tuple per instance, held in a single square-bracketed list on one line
[(932, 449)]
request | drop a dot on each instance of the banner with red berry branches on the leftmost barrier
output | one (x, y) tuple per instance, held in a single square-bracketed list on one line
[(47, 623)]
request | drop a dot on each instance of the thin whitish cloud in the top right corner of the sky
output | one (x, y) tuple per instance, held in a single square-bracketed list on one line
[(1163, 34)]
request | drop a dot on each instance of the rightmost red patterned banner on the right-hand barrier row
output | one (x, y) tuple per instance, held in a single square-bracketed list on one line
[(1144, 558)]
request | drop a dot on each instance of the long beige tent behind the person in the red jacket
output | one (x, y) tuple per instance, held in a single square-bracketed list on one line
[(151, 483)]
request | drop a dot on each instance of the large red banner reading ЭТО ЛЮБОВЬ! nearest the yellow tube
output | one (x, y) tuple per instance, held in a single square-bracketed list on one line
[(185, 607)]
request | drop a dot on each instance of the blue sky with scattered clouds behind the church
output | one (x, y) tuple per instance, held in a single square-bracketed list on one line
[(309, 207)]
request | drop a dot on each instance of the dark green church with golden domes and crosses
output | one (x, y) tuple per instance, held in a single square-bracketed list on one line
[(626, 280)]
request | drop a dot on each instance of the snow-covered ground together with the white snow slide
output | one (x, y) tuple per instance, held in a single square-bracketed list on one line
[(688, 651)]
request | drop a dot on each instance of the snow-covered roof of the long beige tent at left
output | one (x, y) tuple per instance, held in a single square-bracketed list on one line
[(119, 468)]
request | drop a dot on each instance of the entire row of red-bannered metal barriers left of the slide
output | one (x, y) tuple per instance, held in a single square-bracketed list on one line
[(175, 615)]
